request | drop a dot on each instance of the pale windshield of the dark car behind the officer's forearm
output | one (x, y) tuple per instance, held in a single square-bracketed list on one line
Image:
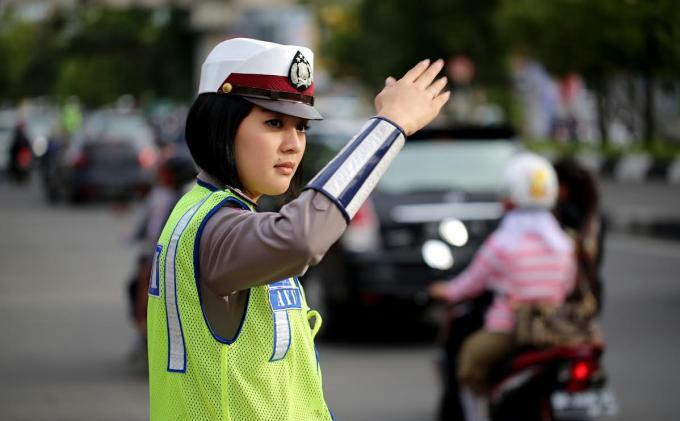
[(448, 165)]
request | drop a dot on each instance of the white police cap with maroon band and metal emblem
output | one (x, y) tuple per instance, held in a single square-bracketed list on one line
[(273, 76)]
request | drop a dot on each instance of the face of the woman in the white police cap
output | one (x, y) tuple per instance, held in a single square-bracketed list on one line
[(268, 148)]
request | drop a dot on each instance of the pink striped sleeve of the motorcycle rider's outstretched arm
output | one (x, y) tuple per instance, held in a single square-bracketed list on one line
[(475, 278)]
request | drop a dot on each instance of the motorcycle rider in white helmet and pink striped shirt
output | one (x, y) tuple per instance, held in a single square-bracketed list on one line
[(529, 258)]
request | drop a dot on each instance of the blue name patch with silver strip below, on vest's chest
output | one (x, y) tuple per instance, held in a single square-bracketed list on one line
[(284, 295)]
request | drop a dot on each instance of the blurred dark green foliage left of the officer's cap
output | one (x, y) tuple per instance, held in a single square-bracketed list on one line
[(97, 54)]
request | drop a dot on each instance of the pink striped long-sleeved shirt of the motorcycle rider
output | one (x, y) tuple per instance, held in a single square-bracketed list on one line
[(530, 271)]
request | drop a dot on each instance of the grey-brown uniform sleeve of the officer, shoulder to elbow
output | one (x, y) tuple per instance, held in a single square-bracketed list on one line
[(240, 249)]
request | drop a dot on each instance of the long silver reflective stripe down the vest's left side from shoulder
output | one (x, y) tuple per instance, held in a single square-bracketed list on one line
[(176, 348)]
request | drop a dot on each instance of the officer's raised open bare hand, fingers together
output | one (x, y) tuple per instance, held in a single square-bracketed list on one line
[(414, 100)]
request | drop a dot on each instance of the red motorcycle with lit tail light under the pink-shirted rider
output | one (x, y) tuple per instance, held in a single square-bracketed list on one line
[(532, 384)]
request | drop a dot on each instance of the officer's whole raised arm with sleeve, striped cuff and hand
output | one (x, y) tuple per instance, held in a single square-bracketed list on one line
[(247, 249)]
